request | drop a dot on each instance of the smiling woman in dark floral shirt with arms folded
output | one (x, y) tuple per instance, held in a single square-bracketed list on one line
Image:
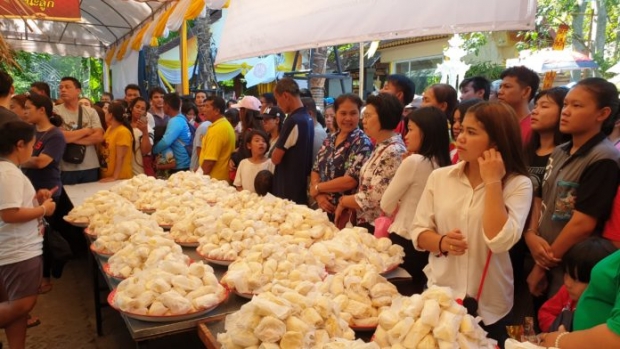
[(337, 166)]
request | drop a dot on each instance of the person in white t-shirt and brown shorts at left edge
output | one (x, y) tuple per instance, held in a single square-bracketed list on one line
[(21, 240)]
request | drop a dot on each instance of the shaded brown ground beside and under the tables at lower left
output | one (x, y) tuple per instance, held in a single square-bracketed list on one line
[(67, 316)]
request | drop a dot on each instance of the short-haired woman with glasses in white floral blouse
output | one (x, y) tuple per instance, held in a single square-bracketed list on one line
[(382, 115)]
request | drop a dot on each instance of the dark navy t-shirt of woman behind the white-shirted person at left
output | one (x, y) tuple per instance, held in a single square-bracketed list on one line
[(51, 143)]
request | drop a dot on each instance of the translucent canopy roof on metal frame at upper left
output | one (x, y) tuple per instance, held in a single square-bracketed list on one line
[(103, 23)]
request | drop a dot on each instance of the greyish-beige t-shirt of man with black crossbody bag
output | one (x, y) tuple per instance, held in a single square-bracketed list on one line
[(90, 119)]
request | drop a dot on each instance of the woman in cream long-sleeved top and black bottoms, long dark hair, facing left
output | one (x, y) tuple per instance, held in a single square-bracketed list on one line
[(428, 143)]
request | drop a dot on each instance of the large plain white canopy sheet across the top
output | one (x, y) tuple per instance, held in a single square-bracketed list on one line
[(260, 27)]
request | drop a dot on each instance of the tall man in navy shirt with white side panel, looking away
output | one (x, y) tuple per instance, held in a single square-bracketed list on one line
[(293, 152)]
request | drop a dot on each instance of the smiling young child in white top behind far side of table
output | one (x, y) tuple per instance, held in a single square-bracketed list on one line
[(258, 144)]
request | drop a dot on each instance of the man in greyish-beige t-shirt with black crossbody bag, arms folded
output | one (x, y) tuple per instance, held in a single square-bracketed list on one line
[(89, 133)]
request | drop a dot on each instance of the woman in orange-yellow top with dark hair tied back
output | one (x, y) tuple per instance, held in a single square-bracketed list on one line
[(116, 154)]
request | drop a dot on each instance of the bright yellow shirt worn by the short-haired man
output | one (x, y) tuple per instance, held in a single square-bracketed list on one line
[(217, 145)]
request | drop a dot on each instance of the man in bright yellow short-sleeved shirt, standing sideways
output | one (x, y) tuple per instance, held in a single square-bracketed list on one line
[(219, 142)]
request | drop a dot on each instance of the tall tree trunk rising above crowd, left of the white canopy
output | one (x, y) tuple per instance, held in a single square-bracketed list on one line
[(206, 72)]
